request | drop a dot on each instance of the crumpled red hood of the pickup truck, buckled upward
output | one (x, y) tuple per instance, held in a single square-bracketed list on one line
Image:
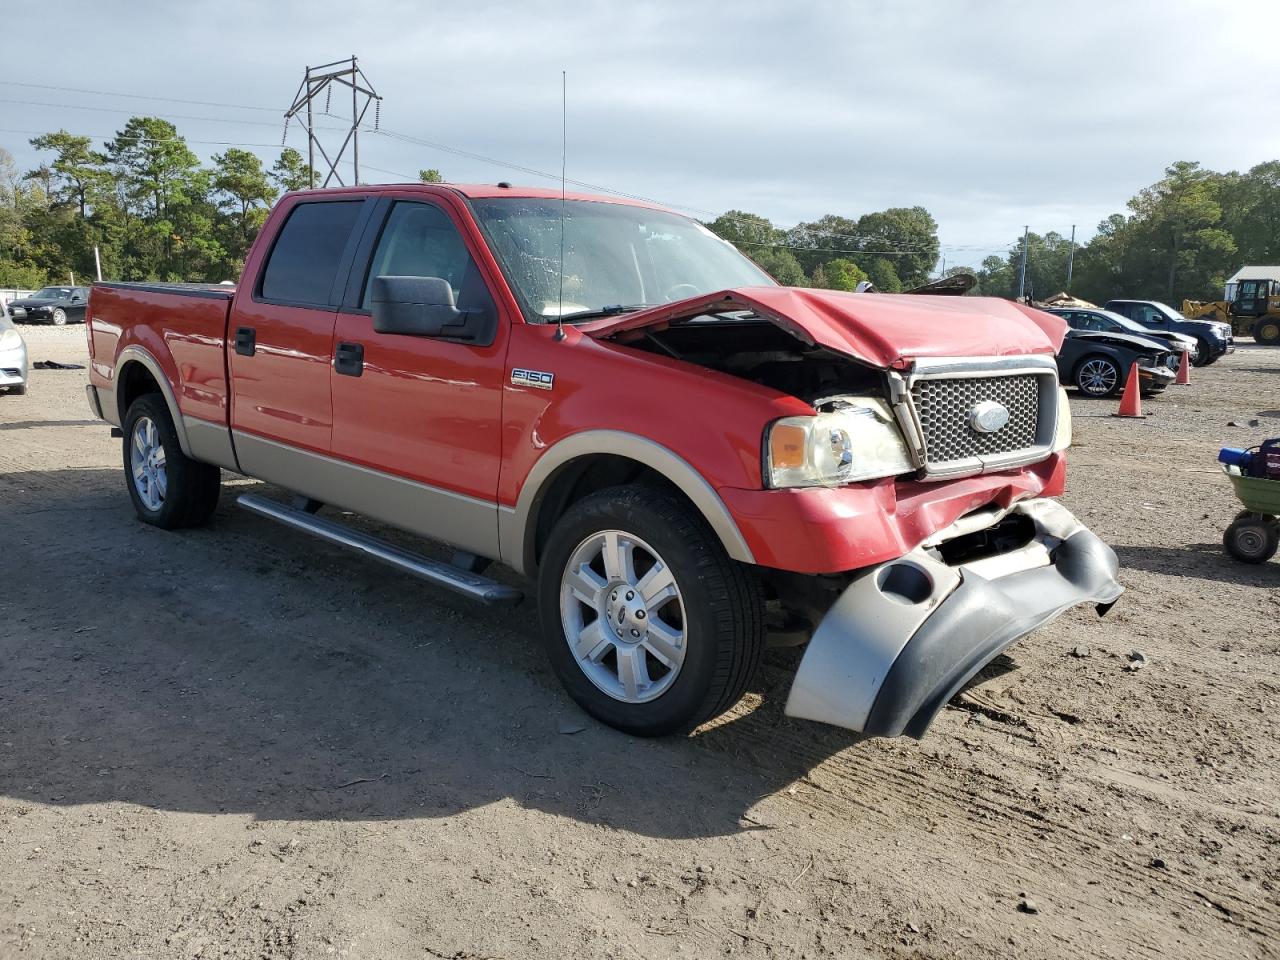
[(886, 331)]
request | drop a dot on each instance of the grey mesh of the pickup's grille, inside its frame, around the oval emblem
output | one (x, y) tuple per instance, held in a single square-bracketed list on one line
[(944, 410)]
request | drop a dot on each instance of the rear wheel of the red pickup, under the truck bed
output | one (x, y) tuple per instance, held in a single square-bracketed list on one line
[(168, 488)]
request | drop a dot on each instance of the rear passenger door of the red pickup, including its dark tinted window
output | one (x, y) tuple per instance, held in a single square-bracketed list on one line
[(280, 337)]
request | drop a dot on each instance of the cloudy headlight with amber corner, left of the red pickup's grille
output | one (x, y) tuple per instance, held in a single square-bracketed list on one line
[(857, 441)]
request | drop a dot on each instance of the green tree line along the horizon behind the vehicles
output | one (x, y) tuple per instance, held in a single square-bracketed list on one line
[(157, 213)]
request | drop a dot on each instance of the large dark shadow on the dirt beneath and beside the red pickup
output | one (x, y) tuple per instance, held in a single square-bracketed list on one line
[(246, 669)]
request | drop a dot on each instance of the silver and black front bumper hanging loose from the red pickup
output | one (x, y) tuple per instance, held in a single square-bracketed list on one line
[(907, 636)]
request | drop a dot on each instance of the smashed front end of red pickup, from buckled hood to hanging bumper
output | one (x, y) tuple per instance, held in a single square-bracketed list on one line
[(902, 531)]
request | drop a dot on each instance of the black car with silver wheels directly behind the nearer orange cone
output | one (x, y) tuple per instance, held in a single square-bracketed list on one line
[(1098, 363)]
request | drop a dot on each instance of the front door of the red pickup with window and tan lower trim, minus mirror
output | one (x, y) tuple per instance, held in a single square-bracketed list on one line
[(420, 418)]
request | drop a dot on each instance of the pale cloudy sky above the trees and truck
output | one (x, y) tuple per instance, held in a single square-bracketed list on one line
[(991, 115)]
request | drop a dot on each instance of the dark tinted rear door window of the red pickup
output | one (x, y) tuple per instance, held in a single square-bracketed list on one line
[(308, 253)]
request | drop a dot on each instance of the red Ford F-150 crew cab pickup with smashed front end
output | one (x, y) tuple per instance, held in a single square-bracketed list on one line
[(687, 460)]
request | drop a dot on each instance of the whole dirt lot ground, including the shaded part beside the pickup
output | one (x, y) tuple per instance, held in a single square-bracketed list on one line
[(236, 743)]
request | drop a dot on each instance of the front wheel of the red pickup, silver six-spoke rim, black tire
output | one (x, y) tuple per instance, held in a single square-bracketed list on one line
[(650, 625)]
